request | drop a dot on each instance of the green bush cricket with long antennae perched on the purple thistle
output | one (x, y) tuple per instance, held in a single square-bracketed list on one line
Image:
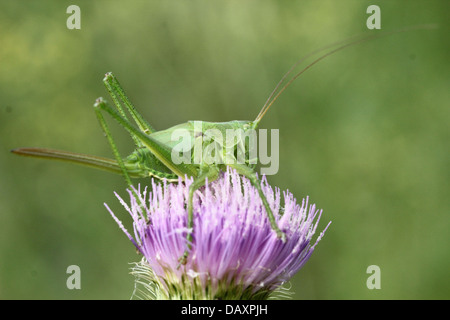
[(153, 156)]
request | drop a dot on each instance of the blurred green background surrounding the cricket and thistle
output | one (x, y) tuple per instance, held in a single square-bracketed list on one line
[(365, 133)]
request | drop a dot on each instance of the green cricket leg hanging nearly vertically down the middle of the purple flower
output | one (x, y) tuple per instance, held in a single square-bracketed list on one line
[(211, 174)]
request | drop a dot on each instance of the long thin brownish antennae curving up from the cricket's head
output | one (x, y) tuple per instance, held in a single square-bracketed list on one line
[(340, 46)]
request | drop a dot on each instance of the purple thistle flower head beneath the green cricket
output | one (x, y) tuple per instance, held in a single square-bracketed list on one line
[(235, 254)]
